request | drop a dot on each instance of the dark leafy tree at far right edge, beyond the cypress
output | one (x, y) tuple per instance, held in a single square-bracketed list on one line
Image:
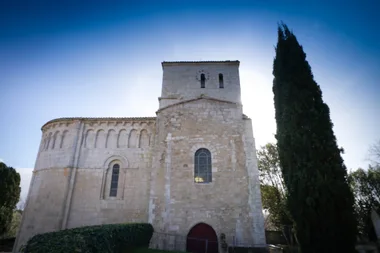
[(366, 188)]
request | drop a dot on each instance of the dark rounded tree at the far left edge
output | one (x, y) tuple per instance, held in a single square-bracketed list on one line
[(9, 195)]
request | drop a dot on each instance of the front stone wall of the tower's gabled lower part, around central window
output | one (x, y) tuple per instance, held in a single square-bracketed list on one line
[(177, 202)]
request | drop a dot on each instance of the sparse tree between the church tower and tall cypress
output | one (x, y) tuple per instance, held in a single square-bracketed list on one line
[(272, 186)]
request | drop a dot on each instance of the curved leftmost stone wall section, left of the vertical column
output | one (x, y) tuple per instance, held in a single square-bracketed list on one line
[(44, 209)]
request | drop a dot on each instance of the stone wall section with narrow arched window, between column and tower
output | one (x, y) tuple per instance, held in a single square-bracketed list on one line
[(127, 143)]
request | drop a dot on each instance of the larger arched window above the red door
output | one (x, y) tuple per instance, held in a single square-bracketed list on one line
[(202, 166)]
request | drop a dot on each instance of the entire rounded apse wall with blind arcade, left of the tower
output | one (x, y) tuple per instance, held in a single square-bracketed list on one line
[(71, 179)]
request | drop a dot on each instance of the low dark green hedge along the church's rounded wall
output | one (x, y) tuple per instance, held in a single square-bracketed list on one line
[(111, 238)]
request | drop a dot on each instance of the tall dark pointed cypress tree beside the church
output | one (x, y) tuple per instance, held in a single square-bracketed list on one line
[(319, 198)]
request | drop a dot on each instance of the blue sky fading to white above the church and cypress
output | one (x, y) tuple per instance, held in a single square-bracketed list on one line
[(95, 59)]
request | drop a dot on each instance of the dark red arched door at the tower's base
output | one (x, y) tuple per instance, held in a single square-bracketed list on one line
[(202, 239)]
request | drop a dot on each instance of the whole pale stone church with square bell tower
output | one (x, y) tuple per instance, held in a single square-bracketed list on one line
[(190, 171)]
